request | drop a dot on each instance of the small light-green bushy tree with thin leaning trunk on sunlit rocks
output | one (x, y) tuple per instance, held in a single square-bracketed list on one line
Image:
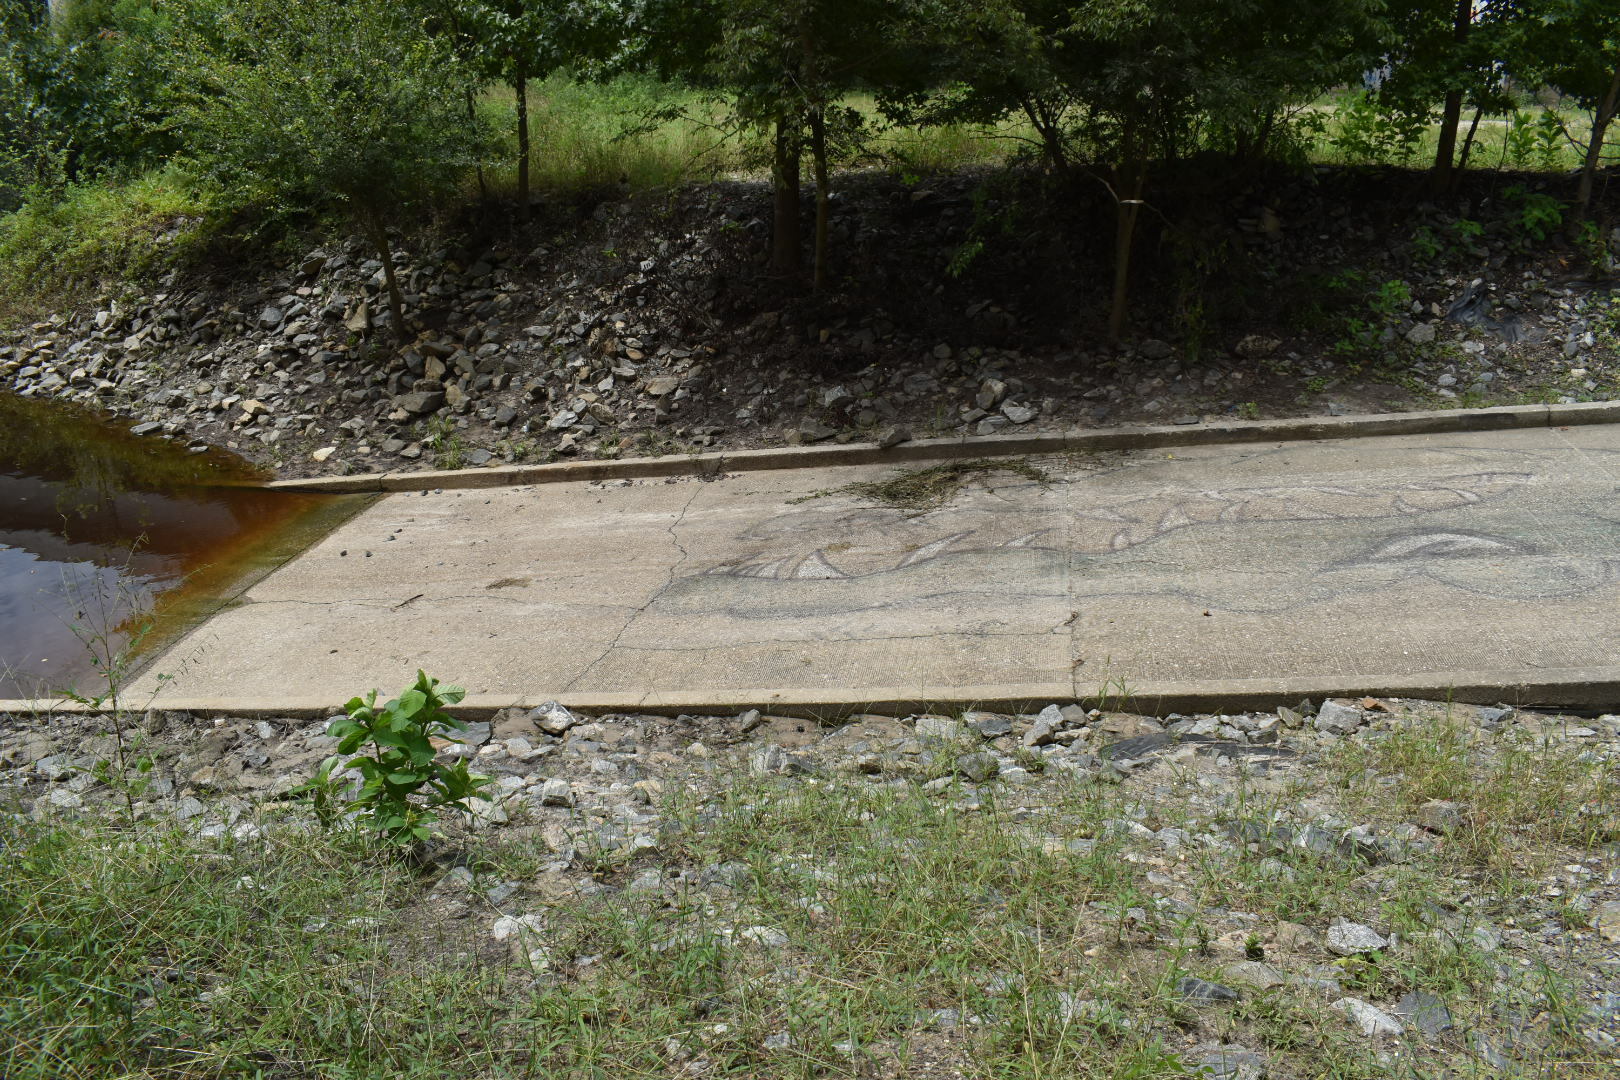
[(344, 106)]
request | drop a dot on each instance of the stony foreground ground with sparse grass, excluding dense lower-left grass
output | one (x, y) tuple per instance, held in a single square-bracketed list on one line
[(1360, 890)]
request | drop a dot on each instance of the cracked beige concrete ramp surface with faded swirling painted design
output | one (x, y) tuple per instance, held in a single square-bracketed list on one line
[(1470, 558)]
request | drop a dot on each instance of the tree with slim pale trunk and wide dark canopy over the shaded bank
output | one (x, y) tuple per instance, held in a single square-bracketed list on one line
[(1115, 88)]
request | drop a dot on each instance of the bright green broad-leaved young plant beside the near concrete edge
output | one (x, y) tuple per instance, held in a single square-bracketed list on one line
[(403, 781)]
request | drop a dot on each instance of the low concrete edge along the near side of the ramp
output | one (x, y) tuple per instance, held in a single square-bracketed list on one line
[(1579, 691)]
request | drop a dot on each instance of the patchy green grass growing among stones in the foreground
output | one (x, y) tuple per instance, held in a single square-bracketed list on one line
[(829, 925)]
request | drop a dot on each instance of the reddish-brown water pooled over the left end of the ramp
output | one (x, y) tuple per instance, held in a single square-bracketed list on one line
[(108, 540)]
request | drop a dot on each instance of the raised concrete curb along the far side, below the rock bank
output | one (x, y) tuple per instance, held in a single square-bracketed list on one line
[(1316, 428)]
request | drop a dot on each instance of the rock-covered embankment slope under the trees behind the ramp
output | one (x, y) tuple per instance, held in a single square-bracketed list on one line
[(647, 330)]
